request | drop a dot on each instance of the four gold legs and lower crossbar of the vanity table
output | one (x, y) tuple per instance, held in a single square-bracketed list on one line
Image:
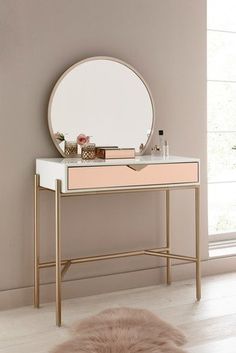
[(58, 262)]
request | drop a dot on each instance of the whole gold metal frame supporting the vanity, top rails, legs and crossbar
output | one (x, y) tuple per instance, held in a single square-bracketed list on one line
[(62, 266)]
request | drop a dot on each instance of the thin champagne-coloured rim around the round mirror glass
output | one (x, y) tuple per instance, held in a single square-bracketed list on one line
[(99, 58)]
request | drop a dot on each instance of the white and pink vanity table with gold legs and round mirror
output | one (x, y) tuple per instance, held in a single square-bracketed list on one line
[(74, 177)]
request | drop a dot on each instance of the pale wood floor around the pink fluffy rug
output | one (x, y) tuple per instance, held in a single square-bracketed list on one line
[(210, 325)]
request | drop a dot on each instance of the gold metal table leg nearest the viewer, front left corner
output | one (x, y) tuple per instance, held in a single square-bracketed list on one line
[(58, 250)]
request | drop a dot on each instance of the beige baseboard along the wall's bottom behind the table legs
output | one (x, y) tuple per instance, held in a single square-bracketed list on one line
[(83, 287)]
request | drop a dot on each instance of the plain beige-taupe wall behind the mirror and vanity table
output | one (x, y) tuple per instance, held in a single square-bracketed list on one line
[(163, 39)]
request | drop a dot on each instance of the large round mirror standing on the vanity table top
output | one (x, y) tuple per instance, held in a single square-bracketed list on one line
[(103, 98)]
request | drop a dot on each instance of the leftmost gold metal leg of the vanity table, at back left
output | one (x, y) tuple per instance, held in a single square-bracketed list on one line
[(36, 241)]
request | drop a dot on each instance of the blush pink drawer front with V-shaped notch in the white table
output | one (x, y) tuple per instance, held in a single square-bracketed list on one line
[(125, 176)]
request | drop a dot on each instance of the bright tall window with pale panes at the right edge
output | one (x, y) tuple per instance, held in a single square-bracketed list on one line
[(221, 129)]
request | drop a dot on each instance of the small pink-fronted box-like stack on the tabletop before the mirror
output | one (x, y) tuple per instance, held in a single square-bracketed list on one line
[(113, 152)]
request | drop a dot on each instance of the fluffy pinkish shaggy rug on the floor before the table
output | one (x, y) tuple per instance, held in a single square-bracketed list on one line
[(123, 330)]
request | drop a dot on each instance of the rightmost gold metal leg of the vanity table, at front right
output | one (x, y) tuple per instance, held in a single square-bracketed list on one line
[(197, 233)]
